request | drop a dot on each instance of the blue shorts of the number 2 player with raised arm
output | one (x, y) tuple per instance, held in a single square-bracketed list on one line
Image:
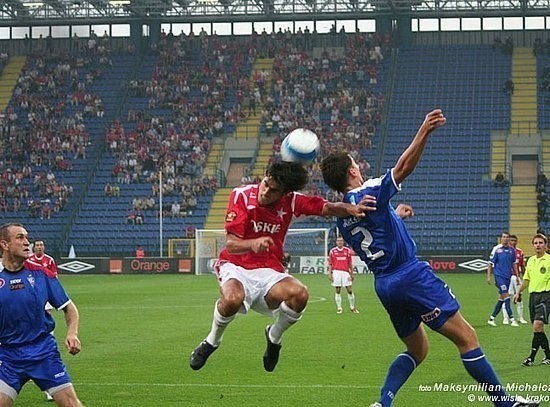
[(414, 294)]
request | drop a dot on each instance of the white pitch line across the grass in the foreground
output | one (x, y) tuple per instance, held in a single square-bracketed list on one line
[(238, 386)]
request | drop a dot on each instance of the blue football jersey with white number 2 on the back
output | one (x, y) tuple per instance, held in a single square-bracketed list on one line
[(380, 239)]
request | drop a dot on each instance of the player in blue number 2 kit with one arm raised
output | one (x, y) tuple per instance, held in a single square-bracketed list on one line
[(410, 292)]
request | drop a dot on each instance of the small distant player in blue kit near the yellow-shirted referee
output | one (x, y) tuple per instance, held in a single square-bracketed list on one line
[(503, 263)]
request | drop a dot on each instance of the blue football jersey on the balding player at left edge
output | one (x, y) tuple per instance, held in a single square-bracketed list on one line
[(23, 295)]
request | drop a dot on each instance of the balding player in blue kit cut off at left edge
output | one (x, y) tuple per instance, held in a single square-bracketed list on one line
[(28, 350)]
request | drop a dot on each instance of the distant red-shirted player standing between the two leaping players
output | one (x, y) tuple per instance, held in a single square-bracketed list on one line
[(340, 272)]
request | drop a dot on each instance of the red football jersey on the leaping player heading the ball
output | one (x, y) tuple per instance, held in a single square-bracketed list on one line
[(247, 219)]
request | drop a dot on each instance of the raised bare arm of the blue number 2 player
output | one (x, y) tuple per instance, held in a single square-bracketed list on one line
[(410, 157)]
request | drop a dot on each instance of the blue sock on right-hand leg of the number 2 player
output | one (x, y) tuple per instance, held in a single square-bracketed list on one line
[(480, 369)]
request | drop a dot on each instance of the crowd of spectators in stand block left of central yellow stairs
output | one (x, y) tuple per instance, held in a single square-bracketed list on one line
[(204, 82)]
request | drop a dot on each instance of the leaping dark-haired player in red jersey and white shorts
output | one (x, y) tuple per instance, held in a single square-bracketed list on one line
[(250, 272)]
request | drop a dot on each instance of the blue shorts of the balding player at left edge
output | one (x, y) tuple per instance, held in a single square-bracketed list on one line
[(39, 361)]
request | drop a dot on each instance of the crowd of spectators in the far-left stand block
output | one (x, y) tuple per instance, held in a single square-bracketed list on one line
[(40, 136)]
